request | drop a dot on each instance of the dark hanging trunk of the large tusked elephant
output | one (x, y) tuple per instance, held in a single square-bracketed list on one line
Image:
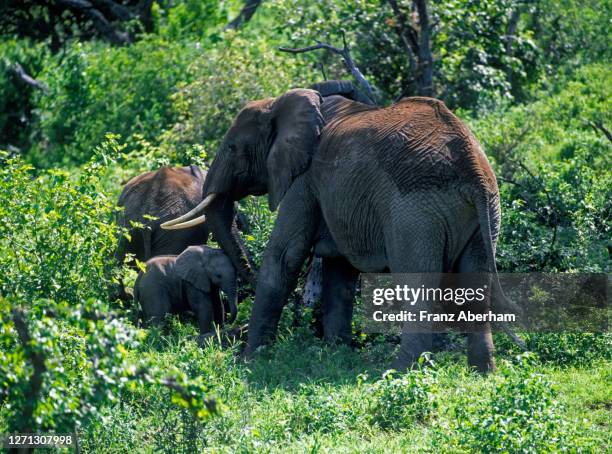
[(220, 217)]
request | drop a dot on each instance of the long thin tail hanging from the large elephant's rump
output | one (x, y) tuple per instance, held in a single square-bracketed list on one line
[(487, 206)]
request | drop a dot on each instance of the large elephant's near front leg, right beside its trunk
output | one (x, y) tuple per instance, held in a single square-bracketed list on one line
[(290, 243)]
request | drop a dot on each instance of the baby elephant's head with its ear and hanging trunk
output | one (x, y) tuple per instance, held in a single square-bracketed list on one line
[(209, 270)]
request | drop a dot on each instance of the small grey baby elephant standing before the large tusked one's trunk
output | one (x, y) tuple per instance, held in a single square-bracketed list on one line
[(189, 281)]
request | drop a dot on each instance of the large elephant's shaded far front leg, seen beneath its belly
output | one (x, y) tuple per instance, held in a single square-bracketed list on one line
[(339, 283)]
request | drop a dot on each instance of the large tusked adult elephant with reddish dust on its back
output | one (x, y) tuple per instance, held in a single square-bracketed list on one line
[(405, 188)]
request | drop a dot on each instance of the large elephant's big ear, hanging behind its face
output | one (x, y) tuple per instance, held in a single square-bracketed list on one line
[(297, 122)]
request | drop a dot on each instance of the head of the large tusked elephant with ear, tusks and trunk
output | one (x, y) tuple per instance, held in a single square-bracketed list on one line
[(269, 144)]
